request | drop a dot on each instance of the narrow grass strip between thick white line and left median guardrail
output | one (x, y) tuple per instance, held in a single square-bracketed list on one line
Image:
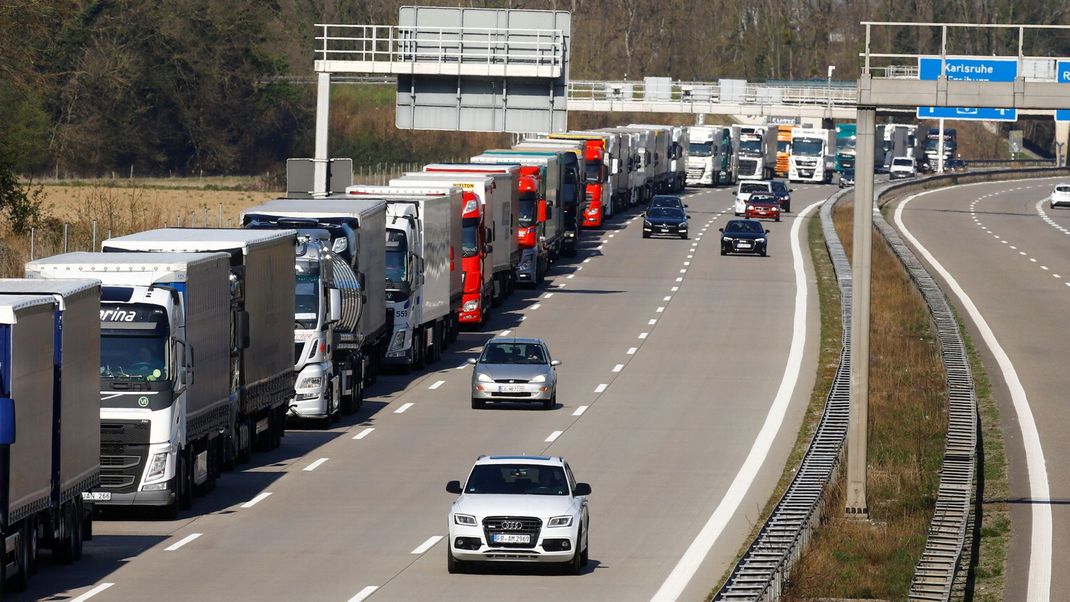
[(829, 361)]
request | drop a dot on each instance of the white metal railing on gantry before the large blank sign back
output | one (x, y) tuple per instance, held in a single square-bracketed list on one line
[(422, 44)]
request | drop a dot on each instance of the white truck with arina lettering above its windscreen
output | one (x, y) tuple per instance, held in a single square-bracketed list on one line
[(164, 423)]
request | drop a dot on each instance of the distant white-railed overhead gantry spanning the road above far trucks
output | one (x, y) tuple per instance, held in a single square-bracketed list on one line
[(684, 92)]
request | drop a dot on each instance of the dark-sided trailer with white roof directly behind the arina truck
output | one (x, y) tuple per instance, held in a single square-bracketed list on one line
[(263, 300)]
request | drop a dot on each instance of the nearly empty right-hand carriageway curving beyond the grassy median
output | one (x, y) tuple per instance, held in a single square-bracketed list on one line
[(1004, 259)]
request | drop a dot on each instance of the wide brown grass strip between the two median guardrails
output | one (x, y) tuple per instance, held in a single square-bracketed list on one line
[(876, 559)]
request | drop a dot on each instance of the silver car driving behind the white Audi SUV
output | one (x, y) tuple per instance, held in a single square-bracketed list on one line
[(517, 371)]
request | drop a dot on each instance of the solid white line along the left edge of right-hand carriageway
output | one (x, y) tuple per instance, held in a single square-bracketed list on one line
[(1040, 584)]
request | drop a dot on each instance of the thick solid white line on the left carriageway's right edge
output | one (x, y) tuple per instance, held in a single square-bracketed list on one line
[(689, 565)]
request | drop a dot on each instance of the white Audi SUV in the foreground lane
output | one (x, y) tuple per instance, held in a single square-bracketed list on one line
[(519, 508)]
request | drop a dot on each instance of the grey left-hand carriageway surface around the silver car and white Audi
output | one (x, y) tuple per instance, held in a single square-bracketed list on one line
[(672, 361)]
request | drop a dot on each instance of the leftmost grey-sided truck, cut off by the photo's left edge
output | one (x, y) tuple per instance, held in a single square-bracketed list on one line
[(50, 436)]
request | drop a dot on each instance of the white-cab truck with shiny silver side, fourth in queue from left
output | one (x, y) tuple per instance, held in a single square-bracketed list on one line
[(341, 327)]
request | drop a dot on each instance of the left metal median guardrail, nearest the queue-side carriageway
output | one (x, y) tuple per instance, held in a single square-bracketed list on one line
[(763, 572)]
